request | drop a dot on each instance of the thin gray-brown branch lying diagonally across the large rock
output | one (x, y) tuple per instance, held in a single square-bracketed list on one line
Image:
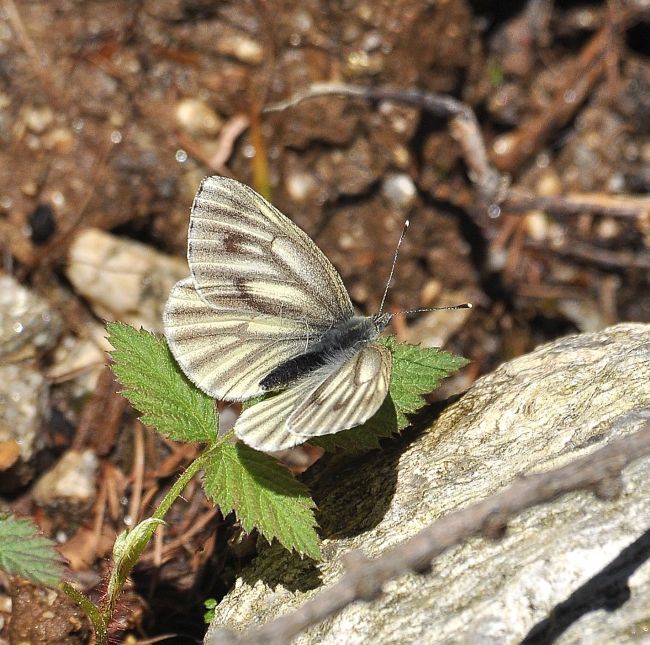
[(599, 472)]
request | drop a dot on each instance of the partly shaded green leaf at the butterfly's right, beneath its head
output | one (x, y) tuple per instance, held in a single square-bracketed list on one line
[(416, 371)]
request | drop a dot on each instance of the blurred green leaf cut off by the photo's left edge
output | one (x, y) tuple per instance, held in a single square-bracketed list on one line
[(25, 553)]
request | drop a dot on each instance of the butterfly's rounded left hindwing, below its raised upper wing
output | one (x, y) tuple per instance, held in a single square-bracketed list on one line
[(227, 354)]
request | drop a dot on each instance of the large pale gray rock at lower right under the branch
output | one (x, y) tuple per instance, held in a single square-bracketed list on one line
[(575, 570)]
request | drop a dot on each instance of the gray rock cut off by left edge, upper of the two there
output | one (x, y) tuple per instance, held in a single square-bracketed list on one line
[(28, 325)]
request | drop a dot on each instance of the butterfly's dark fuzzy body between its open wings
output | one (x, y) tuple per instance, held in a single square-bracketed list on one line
[(335, 345)]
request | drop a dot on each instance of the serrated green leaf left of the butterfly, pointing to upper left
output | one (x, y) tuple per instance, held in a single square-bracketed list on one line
[(155, 385)]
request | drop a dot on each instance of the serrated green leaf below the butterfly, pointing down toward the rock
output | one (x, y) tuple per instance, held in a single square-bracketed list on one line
[(264, 495)]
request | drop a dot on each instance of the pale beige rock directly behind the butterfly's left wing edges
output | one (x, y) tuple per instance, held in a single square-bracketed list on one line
[(123, 280)]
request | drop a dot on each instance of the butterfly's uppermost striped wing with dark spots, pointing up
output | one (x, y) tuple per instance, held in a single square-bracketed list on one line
[(246, 257)]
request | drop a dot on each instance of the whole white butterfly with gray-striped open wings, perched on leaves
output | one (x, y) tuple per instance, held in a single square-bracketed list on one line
[(265, 310)]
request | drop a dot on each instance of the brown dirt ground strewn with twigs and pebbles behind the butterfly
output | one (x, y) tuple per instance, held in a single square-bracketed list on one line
[(112, 111)]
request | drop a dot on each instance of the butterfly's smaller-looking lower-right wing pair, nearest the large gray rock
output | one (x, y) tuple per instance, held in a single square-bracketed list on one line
[(329, 400)]
